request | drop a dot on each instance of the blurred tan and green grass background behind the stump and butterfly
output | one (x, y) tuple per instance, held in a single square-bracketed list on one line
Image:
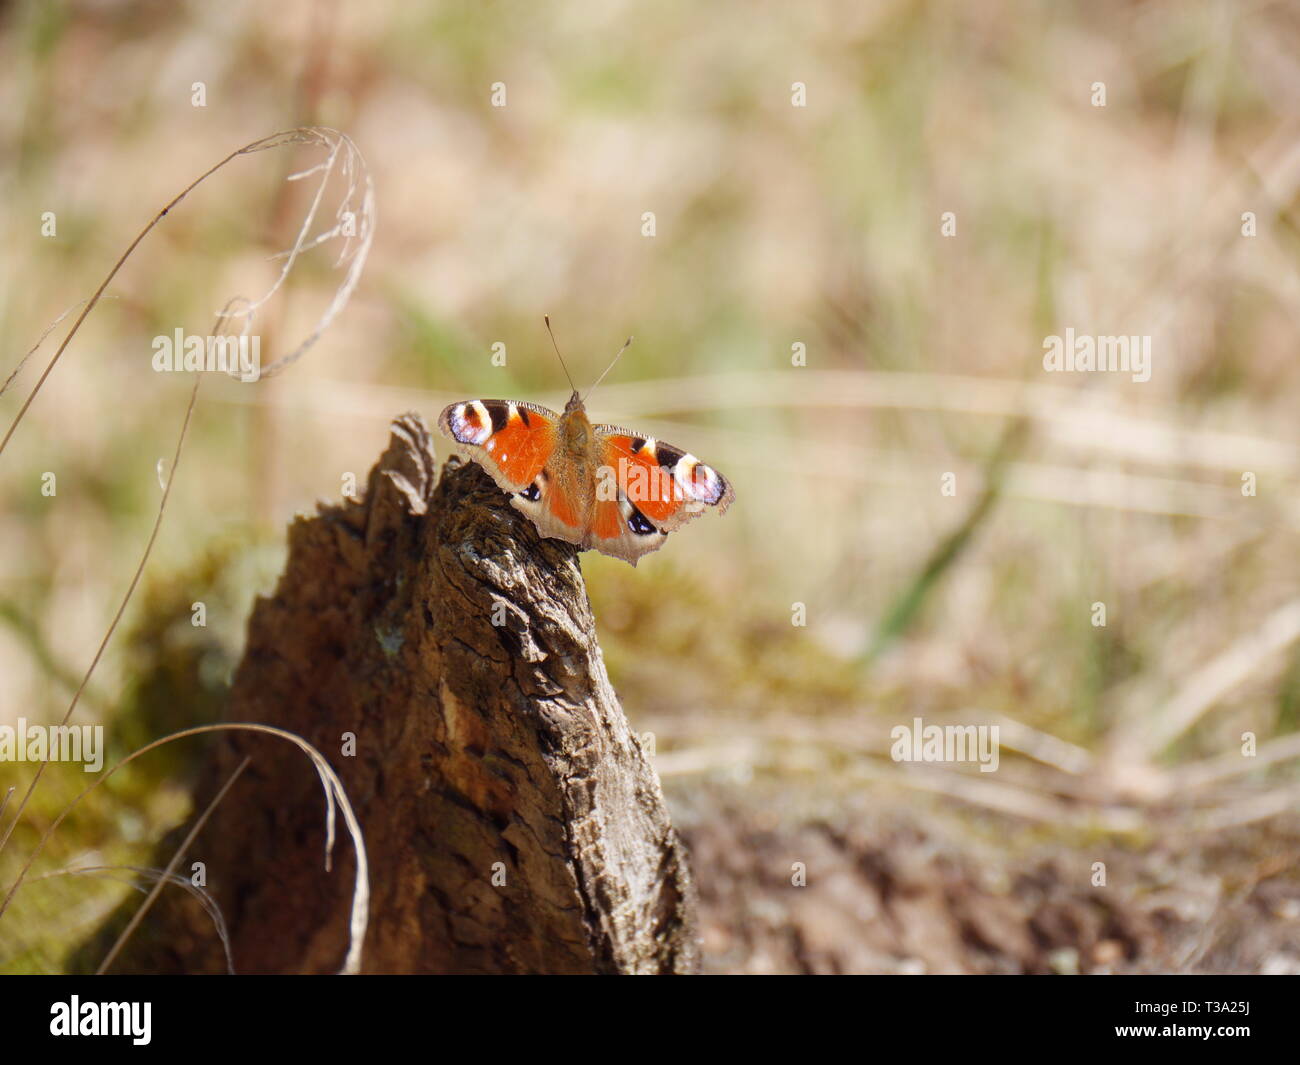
[(774, 226)]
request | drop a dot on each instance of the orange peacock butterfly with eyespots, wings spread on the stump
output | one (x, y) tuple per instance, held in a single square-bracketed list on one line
[(599, 487)]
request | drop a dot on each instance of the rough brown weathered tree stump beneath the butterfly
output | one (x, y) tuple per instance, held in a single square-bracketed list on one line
[(434, 624)]
